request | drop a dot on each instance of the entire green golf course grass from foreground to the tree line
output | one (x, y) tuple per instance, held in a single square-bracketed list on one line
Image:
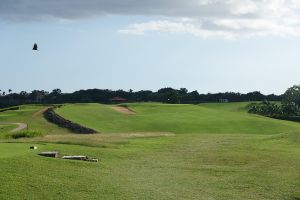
[(151, 151)]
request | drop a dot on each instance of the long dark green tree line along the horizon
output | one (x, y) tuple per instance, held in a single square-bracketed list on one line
[(164, 95)]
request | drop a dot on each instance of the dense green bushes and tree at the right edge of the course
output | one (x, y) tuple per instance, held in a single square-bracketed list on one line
[(289, 108)]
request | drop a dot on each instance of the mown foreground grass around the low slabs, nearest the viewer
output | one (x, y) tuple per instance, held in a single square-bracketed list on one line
[(183, 167)]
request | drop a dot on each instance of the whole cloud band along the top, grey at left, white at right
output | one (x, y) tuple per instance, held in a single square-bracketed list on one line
[(203, 18)]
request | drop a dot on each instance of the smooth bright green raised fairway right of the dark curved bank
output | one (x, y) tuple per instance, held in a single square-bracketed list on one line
[(206, 118)]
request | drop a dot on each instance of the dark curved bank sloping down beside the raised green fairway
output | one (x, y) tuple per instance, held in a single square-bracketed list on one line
[(51, 116)]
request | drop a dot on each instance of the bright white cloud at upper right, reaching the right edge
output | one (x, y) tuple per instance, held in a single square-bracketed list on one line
[(240, 19)]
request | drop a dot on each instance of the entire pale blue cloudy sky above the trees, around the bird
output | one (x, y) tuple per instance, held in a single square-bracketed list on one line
[(205, 45)]
